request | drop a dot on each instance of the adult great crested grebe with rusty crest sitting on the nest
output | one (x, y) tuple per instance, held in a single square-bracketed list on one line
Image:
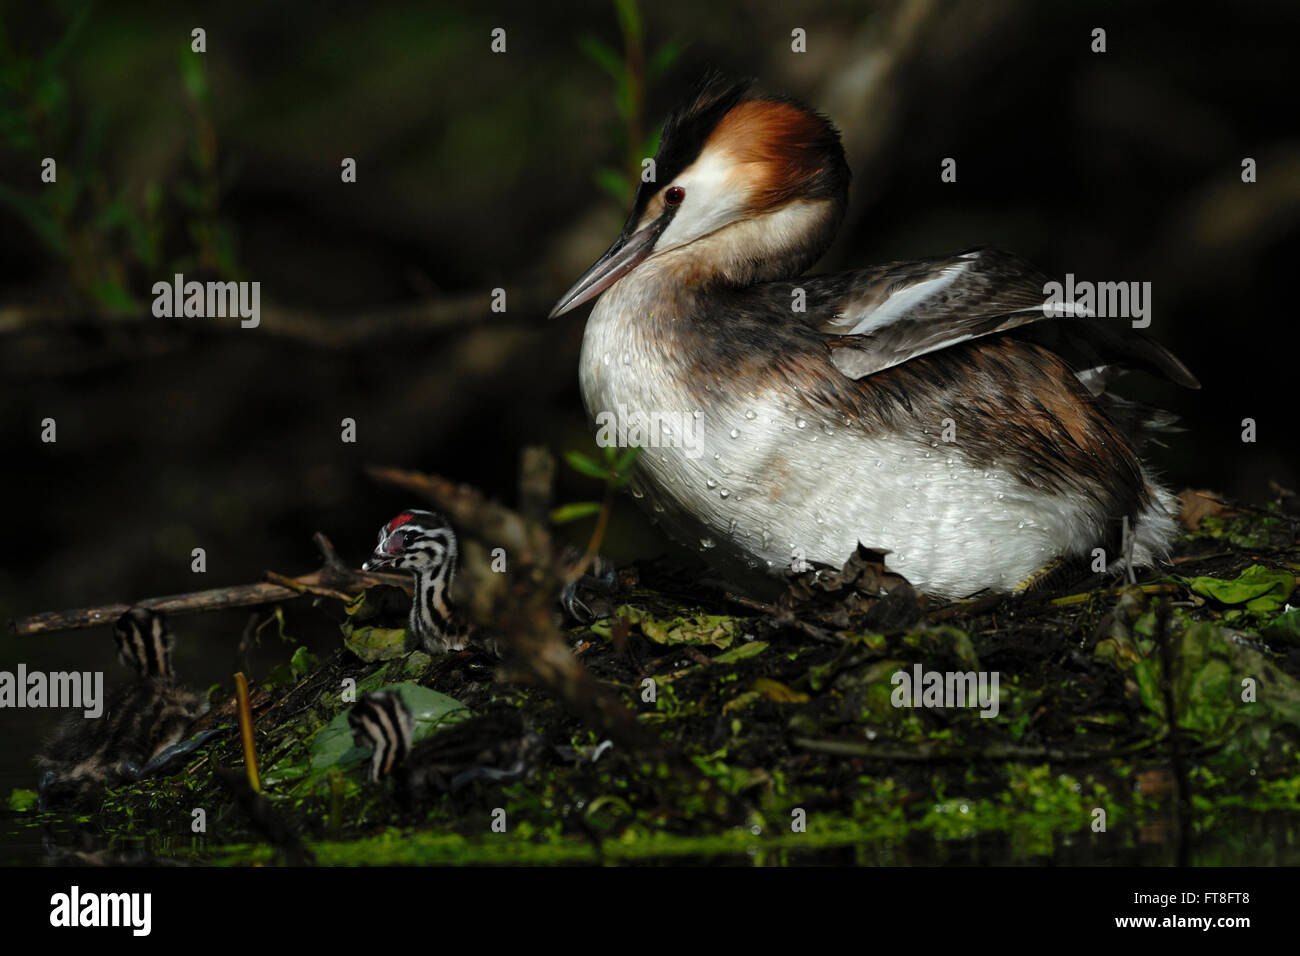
[(922, 408)]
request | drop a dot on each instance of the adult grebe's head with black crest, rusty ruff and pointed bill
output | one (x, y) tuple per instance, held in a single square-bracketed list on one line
[(747, 189)]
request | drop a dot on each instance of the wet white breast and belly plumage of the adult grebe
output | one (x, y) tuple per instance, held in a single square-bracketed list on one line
[(773, 485)]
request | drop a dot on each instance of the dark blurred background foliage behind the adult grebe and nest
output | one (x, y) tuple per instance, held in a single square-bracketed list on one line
[(482, 171)]
